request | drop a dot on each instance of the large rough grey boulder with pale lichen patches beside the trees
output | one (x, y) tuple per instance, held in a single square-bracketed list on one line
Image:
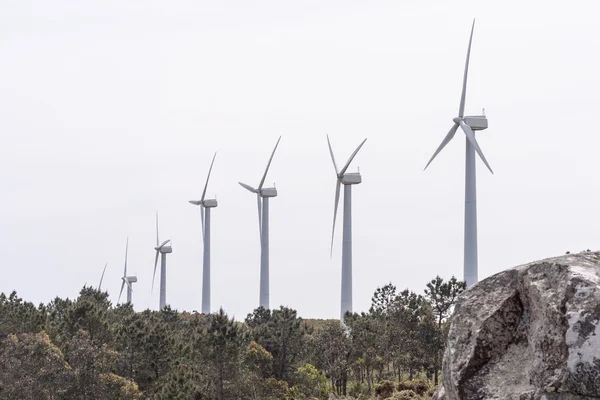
[(531, 332)]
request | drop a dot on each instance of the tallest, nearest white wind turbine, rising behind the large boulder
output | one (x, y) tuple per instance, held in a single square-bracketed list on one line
[(468, 125)]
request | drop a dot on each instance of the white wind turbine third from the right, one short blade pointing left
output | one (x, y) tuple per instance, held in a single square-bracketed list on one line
[(262, 201)]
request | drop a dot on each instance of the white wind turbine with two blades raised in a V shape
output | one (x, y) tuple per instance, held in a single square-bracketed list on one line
[(347, 179)]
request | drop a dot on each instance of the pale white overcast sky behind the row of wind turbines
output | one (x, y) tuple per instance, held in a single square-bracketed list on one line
[(111, 110)]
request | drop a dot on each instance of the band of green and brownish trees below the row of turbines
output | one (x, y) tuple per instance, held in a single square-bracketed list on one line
[(89, 349)]
